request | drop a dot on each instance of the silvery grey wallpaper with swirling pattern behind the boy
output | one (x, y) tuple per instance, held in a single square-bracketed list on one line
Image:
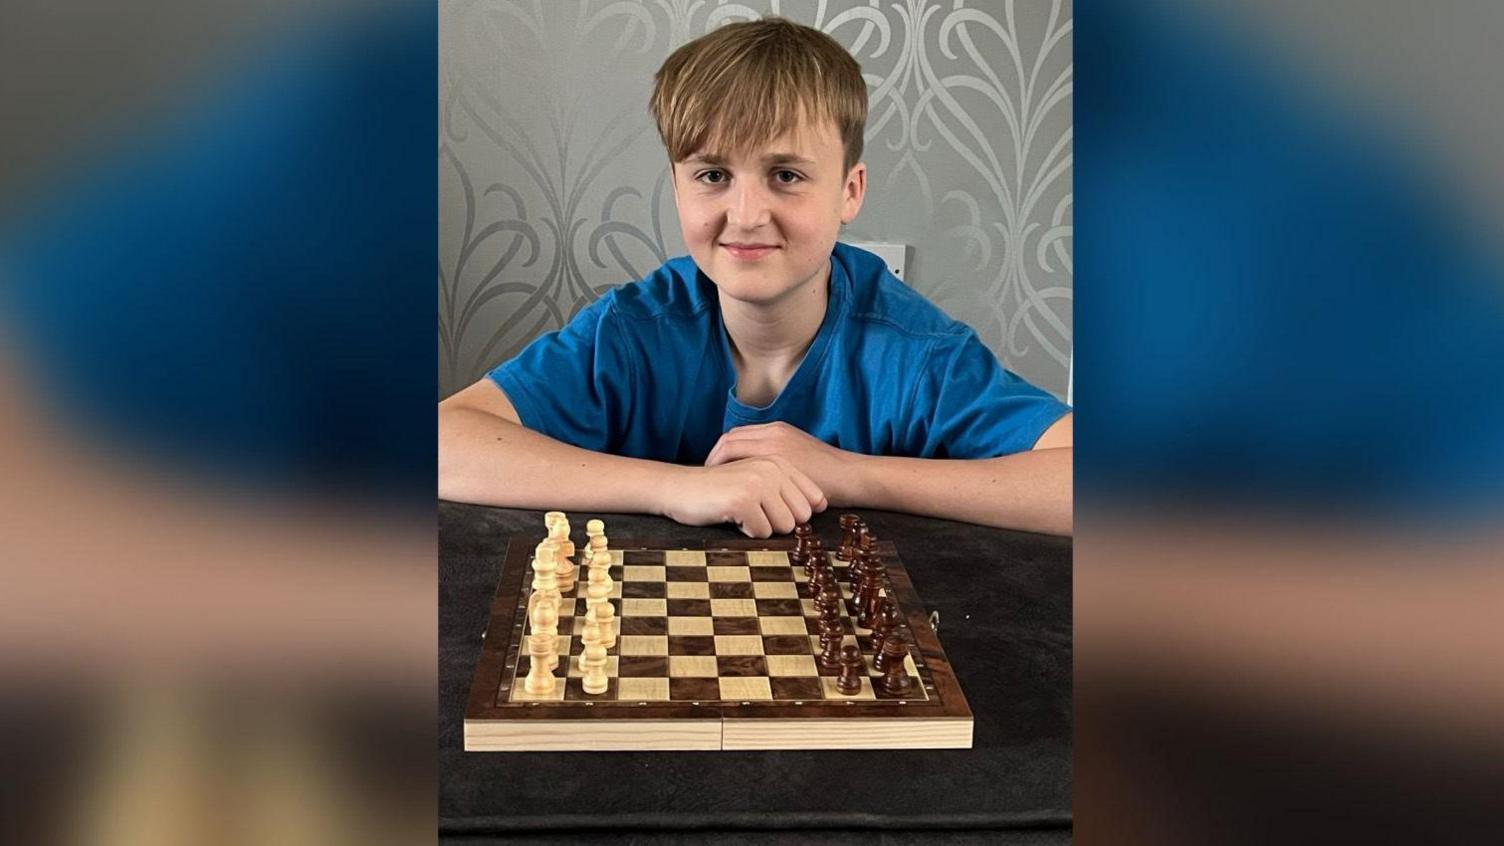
[(554, 186)]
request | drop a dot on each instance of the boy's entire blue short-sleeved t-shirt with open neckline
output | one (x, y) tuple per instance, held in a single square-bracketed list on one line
[(647, 373)]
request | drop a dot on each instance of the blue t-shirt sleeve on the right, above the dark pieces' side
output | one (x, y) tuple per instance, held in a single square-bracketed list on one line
[(968, 406)]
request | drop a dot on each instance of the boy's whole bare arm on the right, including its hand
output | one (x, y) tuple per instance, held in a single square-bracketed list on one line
[(1029, 490)]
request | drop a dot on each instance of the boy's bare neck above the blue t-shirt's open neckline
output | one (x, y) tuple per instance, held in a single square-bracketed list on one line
[(771, 339)]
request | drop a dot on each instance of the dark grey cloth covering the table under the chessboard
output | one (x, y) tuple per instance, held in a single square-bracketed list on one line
[(1005, 622)]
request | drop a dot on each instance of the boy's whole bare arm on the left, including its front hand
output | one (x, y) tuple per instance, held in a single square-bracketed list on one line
[(487, 457)]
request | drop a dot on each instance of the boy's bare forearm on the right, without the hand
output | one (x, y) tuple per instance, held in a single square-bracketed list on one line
[(1031, 491)]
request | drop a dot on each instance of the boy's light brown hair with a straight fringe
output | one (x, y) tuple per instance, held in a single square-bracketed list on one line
[(748, 84)]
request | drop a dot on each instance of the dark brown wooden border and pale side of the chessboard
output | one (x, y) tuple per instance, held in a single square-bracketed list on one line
[(496, 723)]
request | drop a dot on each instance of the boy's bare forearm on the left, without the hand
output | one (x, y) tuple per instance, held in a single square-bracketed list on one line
[(491, 461)]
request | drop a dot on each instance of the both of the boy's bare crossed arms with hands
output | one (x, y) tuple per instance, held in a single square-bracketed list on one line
[(762, 478)]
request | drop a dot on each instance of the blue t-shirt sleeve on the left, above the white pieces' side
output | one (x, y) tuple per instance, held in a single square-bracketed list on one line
[(575, 385)]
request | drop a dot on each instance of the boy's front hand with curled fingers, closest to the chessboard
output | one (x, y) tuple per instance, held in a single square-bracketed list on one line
[(763, 496)]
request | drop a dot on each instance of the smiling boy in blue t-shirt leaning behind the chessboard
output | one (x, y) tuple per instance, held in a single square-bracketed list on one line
[(772, 373)]
